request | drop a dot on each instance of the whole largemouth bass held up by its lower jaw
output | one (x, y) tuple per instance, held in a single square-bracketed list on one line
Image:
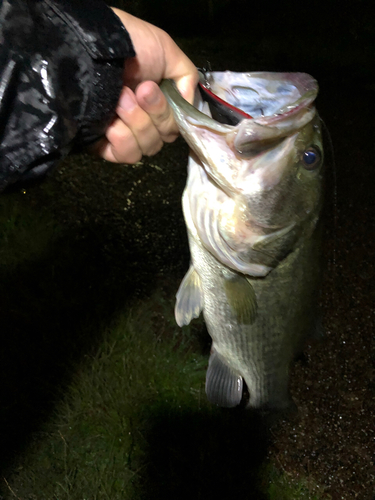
[(252, 206)]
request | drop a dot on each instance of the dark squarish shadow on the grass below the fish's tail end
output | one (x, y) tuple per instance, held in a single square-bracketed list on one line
[(202, 455)]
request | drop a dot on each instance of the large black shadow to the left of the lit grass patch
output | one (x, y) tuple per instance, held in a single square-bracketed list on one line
[(53, 310)]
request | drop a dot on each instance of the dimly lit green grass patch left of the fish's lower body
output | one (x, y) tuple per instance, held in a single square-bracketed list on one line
[(93, 447)]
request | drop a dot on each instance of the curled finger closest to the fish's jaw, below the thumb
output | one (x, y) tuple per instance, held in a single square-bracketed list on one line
[(152, 100)]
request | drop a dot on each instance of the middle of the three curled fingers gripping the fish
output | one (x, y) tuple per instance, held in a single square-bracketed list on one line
[(139, 122)]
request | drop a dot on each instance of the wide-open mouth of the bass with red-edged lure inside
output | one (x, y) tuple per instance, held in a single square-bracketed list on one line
[(302, 90)]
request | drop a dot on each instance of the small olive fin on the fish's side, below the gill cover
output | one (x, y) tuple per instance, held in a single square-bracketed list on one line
[(241, 298)]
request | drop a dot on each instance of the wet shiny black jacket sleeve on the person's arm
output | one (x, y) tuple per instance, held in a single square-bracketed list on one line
[(61, 66)]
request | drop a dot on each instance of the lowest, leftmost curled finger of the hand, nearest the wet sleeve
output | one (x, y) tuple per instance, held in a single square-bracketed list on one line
[(120, 145)]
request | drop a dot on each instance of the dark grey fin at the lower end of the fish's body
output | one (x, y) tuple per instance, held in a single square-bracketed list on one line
[(223, 385)]
